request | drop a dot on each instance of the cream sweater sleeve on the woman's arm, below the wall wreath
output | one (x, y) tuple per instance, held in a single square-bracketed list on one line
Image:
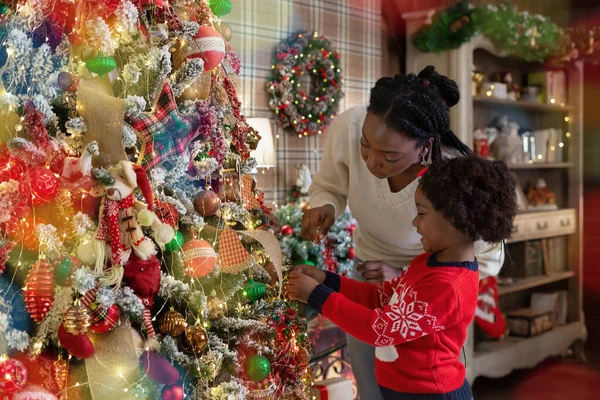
[(330, 182)]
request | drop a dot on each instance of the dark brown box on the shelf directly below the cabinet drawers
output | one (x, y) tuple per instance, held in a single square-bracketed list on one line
[(524, 260)]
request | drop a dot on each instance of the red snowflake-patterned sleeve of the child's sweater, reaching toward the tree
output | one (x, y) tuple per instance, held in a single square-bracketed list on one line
[(421, 310)]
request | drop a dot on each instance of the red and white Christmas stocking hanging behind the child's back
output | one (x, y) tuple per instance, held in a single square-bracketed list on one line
[(488, 316)]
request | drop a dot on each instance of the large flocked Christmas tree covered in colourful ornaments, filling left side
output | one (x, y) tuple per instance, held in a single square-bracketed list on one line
[(137, 258)]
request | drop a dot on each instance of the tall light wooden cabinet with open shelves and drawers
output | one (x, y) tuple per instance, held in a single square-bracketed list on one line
[(564, 178)]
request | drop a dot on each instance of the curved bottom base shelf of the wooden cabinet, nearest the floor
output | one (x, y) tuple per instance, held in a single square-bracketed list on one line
[(497, 359)]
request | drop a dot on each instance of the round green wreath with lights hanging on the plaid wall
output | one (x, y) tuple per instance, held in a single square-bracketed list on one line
[(308, 112)]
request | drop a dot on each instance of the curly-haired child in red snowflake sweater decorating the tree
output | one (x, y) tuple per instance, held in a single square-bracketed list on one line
[(419, 320)]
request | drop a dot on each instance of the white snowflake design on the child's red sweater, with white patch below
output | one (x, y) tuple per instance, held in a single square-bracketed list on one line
[(407, 316)]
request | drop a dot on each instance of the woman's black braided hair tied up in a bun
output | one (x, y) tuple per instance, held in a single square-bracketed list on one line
[(419, 106)]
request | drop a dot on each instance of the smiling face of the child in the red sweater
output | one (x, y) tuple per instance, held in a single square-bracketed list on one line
[(437, 233)]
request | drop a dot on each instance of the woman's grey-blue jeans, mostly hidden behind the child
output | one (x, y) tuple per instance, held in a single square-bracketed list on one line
[(362, 359)]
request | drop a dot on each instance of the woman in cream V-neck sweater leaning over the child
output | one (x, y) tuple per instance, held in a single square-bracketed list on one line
[(372, 157)]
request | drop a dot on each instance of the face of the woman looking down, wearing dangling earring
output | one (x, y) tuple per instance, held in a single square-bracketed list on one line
[(388, 152)]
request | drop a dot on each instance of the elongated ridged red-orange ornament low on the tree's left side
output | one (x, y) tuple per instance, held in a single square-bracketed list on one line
[(39, 290)]
